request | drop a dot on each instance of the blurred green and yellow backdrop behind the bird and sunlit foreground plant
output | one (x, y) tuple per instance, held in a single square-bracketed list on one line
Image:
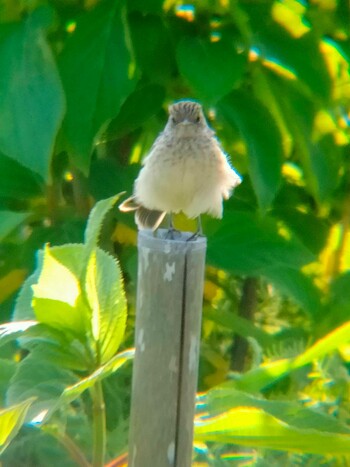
[(84, 90)]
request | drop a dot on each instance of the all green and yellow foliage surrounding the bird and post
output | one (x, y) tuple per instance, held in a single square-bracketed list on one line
[(83, 94)]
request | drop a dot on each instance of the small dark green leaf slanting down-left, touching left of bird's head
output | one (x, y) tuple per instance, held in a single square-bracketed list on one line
[(140, 105)]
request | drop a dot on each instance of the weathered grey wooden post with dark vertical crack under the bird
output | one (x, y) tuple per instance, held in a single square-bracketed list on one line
[(167, 338)]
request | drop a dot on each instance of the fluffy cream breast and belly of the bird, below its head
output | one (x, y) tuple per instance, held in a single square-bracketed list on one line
[(184, 174)]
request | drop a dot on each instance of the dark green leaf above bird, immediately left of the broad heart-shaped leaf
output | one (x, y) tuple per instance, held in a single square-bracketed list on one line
[(155, 56)]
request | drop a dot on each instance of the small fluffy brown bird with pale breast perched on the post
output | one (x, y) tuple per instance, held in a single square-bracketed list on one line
[(186, 170)]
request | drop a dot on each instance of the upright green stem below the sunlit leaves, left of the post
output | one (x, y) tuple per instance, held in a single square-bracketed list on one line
[(99, 425)]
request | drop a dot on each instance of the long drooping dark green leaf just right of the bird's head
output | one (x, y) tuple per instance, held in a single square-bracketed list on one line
[(263, 139)]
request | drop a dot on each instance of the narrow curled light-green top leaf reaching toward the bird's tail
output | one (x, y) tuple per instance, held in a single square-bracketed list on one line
[(95, 221)]
